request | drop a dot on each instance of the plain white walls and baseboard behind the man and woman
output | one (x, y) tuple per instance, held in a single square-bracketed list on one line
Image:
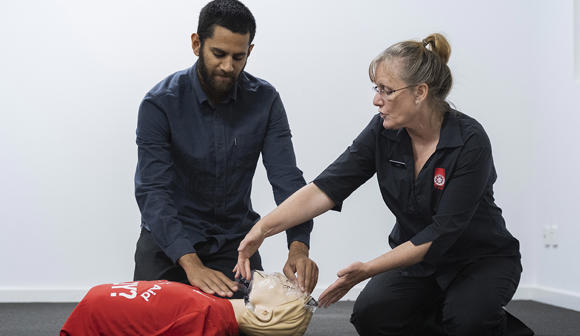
[(74, 72)]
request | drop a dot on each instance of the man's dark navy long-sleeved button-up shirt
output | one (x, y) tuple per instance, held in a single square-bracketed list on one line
[(196, 162)]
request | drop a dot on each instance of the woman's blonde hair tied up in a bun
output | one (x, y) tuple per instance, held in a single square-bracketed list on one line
[(423, 62)]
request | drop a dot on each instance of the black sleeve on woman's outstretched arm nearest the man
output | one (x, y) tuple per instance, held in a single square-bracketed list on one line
[(352, 168)]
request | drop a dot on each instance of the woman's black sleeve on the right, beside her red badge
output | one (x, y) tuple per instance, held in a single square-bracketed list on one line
[(460, 199)]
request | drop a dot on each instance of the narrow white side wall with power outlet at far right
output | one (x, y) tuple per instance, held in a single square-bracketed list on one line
[(554, 183)]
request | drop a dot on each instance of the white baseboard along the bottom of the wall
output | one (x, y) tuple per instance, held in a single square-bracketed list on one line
[(552, 296)]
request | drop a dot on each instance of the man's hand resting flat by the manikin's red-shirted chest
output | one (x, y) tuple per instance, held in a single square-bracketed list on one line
[(208, 280)]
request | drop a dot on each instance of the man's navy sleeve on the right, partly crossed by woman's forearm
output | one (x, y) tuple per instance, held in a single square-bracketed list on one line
[(280, 163)]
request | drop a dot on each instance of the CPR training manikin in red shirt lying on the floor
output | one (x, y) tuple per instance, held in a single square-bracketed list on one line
[(274, 306)]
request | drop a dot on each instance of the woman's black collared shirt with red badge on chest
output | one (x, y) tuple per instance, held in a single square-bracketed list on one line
[(449, 203)]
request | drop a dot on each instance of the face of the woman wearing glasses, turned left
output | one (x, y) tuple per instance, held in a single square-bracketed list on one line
[(397, 109)]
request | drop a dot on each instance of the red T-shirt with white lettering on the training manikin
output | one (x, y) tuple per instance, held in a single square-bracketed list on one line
[(150, 308)]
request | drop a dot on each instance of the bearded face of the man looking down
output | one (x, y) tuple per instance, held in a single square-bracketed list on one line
[(222, 58)]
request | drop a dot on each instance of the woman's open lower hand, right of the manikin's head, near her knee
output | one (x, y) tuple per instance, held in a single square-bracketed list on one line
[(347, 278)]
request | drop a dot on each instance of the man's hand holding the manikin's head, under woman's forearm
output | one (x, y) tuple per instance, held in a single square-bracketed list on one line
[(305, 268)]
